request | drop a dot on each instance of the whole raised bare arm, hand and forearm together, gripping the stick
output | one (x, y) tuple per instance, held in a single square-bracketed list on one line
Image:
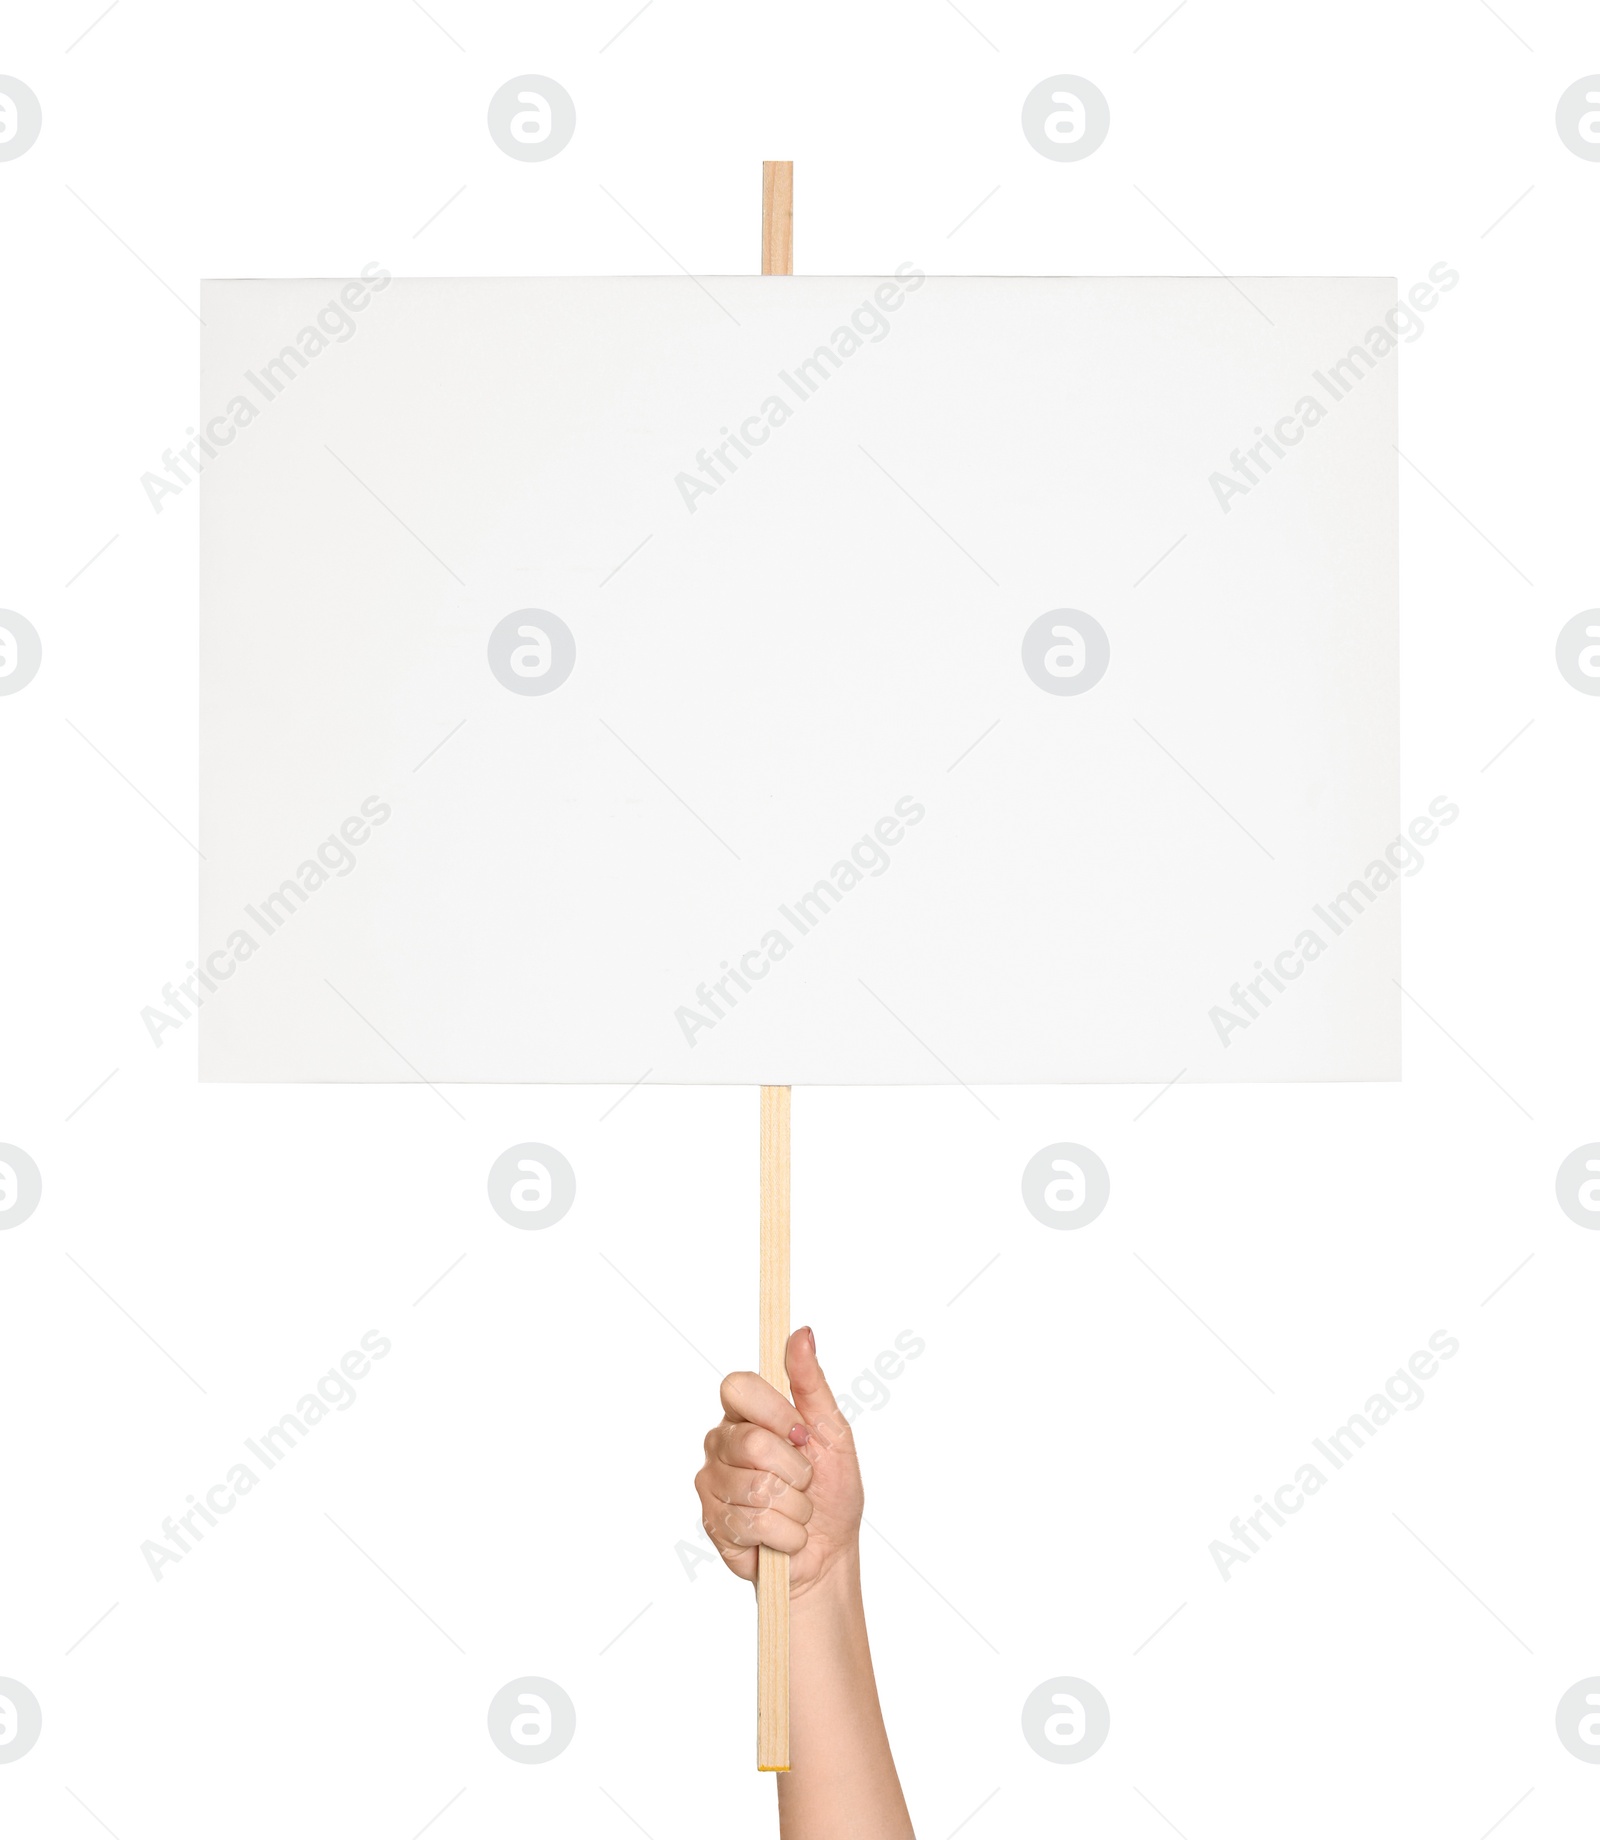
[(786, 1477)]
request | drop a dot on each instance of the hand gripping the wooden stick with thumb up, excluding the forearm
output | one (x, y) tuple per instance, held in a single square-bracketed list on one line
[(783, 1477)]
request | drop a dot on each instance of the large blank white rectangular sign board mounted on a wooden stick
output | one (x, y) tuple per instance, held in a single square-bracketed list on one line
[(919, 711)]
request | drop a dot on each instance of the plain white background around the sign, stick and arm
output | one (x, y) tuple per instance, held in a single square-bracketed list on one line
[(1049, 1475)]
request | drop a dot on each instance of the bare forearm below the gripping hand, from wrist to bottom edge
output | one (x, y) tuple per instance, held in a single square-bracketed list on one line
[(841, 1784)]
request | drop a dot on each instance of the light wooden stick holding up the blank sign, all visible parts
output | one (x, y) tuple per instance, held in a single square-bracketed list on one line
[(773, 1569)]
